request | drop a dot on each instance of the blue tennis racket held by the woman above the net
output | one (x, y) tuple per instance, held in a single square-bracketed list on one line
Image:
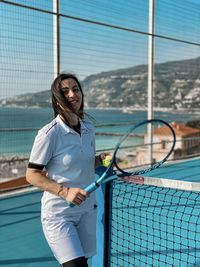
[(138, 152)]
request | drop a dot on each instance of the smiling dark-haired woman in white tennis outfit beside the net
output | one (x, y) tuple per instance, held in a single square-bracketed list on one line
[(62, 163)]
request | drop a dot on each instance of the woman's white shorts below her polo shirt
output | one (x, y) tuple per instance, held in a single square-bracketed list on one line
[(73, 236)]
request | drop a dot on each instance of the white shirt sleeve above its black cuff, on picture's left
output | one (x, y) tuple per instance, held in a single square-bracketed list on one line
[(42, 149)]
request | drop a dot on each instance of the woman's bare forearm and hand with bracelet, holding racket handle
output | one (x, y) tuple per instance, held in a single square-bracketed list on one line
[(40, 180)]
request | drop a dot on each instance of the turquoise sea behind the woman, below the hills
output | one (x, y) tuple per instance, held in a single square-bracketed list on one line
[(19, 126)]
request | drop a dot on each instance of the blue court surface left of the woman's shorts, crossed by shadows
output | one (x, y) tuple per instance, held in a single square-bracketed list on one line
[(22, 242)]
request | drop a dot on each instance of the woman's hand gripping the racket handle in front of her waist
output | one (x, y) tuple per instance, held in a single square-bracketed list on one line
[(74, 195)]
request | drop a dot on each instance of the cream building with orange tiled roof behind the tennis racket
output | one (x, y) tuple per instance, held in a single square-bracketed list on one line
[(187, 143)]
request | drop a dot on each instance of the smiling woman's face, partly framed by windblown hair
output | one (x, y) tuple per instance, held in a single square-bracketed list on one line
[(72, 93)]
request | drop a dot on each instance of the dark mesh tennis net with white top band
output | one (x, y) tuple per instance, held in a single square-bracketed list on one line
[(152, 222)]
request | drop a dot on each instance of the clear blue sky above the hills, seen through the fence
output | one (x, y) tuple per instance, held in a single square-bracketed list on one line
[(27, 39)]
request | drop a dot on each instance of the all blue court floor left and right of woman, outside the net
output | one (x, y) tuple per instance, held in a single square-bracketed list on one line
[(22, 241)]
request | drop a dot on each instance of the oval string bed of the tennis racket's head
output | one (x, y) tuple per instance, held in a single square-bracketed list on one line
[(152, 145)]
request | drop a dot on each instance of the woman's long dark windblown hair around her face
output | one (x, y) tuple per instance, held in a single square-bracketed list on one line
[(59, 103)]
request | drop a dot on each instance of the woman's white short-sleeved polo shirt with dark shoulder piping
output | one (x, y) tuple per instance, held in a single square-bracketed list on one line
[(69, 158)]
